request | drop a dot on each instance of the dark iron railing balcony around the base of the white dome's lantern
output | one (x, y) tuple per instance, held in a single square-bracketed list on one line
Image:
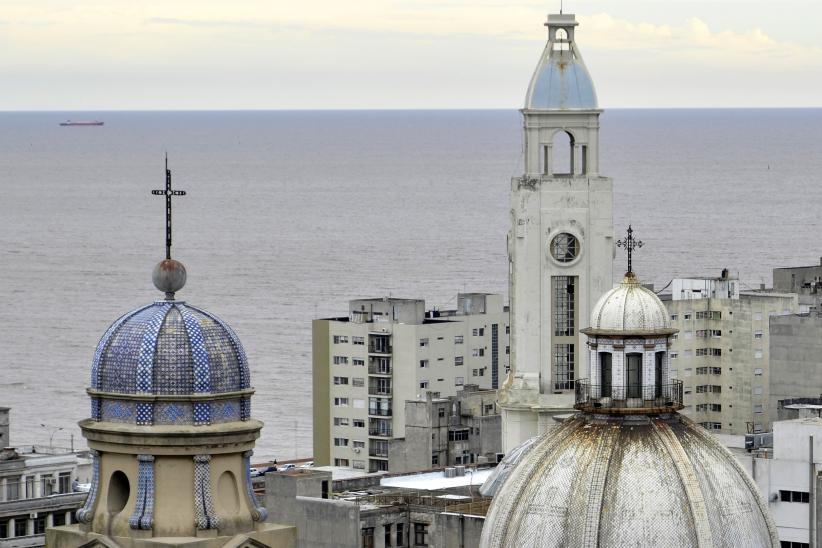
[(632, 399)]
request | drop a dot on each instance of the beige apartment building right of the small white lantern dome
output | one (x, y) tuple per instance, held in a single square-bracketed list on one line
[(721, 352)]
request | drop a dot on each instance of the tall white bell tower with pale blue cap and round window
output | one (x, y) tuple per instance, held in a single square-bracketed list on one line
[(560, 245)]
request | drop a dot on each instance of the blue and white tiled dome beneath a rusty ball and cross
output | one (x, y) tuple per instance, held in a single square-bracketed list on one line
[(170, 363)]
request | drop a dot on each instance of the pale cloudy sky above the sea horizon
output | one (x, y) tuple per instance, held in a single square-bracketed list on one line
[(377, 54)]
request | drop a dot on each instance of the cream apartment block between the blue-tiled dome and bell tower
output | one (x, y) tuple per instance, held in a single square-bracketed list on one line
[(387, 351)]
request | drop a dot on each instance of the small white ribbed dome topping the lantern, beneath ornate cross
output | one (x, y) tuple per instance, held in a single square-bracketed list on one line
[(629, 308)]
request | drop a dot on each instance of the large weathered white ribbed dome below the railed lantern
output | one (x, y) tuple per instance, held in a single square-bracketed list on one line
[(627, 481)]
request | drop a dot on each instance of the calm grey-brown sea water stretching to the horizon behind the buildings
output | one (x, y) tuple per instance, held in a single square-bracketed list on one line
[(291, 214)]
